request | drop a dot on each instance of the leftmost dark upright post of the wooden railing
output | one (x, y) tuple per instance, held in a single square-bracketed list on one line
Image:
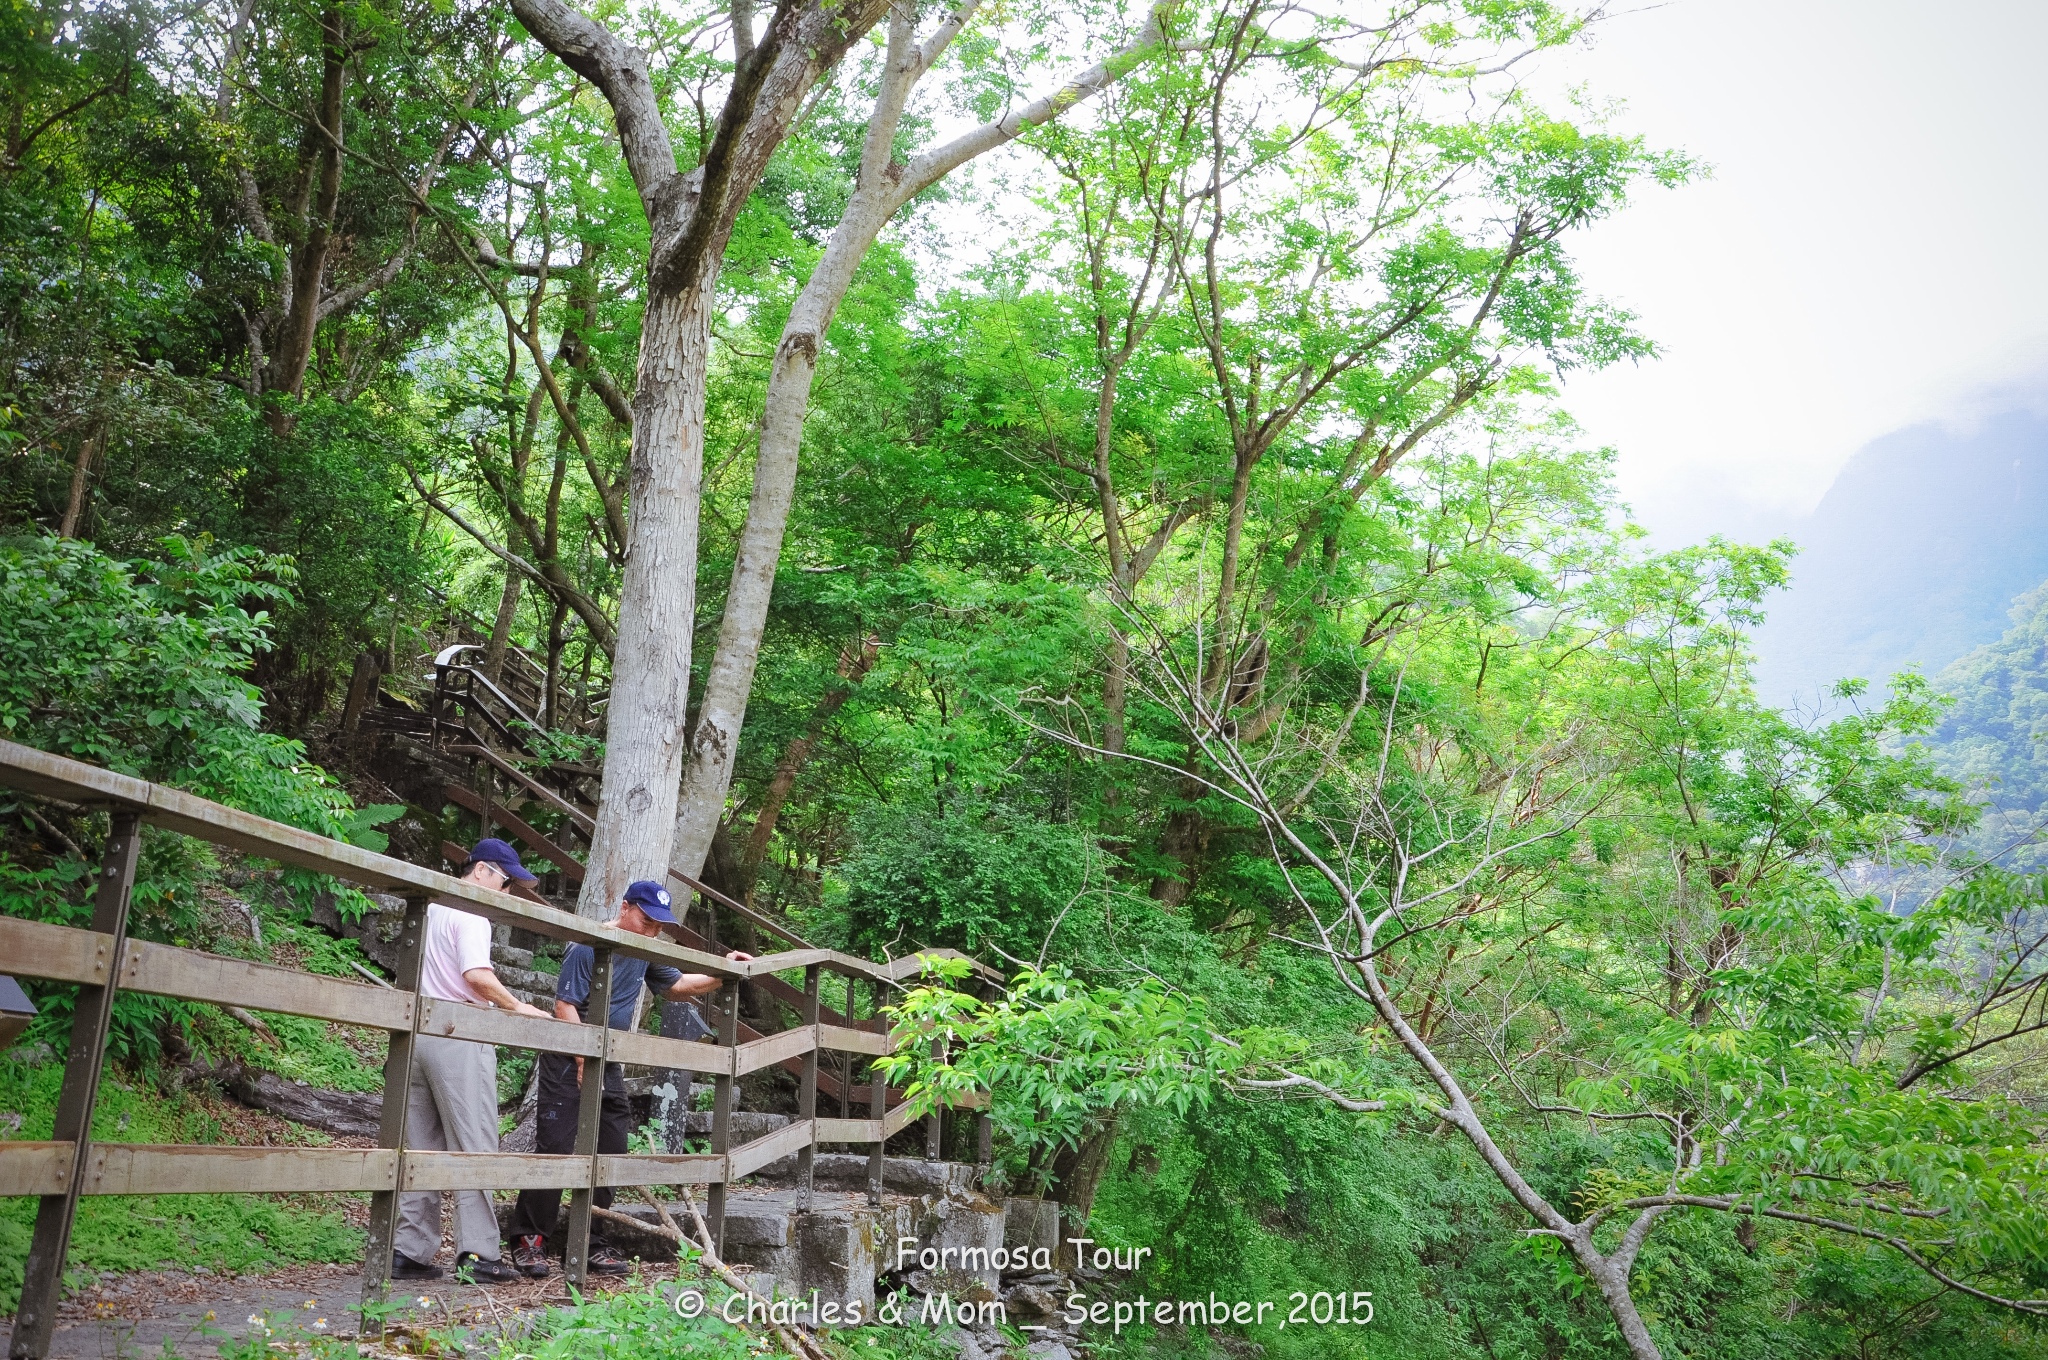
[(91, 1017)]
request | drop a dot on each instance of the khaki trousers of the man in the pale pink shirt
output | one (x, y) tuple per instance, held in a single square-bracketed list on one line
[(452, 1107)]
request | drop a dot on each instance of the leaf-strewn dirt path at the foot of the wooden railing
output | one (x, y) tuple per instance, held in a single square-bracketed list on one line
[(177, 1314)]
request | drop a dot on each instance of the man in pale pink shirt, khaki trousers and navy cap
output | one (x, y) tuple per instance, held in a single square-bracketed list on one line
[(454, 1097)]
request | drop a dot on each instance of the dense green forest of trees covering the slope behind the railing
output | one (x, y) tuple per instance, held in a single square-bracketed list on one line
[(1086, 488)]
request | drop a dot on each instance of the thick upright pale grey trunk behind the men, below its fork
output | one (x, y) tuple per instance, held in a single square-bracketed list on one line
[(656, 603)]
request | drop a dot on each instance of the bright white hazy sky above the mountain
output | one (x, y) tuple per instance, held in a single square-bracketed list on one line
[(1871, 251)]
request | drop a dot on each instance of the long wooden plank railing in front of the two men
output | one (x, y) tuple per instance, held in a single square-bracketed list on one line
[(103, 960)]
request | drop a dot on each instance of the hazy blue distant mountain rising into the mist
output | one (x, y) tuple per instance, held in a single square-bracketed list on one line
[(1912, 558)]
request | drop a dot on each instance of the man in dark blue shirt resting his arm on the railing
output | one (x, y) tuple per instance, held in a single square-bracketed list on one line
[(644, 912)]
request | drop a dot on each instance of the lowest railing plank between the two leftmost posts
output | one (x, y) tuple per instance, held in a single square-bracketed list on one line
[(163, 1168)]
